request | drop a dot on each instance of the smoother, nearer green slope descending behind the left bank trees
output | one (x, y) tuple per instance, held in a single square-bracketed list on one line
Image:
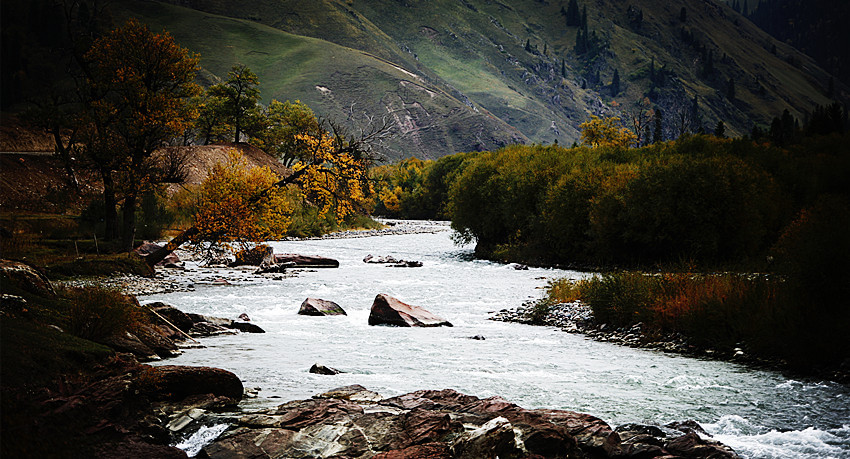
[(336, 81)]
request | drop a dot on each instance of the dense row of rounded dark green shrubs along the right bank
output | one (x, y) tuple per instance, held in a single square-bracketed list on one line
[(699, 199)]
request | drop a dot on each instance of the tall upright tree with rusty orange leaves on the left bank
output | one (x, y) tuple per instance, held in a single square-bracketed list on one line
[(144, 81)]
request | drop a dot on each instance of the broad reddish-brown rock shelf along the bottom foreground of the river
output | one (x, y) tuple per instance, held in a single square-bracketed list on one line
[(353, 422)]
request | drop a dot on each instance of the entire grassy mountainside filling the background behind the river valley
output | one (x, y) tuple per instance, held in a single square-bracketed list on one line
[(457, 75)]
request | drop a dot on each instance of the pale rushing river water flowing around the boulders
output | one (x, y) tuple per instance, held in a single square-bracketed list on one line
[(761, 414)]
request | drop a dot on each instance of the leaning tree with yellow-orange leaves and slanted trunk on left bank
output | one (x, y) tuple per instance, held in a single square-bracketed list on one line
[(330, 175)]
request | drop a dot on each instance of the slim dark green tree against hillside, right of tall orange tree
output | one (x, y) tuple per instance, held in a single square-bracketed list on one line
[(240, 95)]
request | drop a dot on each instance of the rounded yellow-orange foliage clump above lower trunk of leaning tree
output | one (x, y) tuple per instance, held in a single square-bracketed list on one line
[(237, 204)]
